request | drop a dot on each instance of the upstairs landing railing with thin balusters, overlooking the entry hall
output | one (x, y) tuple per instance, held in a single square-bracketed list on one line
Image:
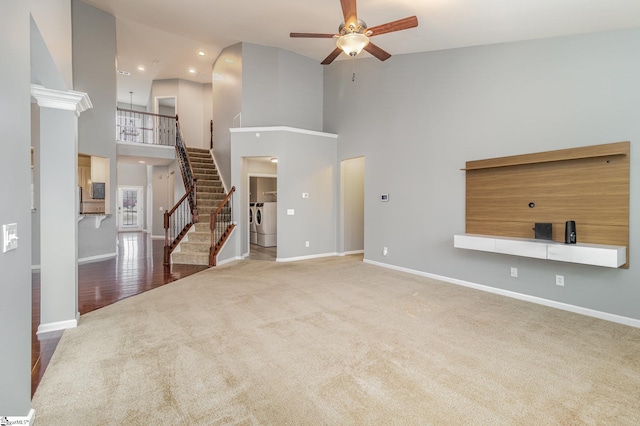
[(145, 127)]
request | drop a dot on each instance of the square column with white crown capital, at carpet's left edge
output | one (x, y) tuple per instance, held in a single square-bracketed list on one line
[(59, 111)]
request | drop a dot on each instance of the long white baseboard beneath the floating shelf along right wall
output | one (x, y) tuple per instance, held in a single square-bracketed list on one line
[(632, 322)]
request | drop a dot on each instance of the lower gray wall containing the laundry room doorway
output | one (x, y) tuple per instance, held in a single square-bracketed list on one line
[(306, 163)]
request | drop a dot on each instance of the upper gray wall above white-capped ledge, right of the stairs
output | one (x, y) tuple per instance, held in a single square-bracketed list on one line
[(270, 87)]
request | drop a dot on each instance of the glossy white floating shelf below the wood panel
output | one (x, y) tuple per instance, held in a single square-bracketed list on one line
[(587, 254)]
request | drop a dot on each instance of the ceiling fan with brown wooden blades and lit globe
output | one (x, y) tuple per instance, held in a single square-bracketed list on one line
[(353, 35)]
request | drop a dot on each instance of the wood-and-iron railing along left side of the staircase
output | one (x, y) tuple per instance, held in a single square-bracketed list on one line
[(184, 214)]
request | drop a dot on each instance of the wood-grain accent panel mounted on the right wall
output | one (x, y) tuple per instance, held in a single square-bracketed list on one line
[(589, 185)]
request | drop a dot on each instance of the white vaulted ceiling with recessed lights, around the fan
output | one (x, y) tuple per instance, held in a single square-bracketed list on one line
[(172, 31)]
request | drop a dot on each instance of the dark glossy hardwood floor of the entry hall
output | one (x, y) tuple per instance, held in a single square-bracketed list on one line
[(137, 268)]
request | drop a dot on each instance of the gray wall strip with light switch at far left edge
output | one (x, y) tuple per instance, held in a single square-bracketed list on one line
[(15, 291)]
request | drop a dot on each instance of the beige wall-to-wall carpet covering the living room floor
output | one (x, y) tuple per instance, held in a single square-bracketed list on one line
[(335, 341)]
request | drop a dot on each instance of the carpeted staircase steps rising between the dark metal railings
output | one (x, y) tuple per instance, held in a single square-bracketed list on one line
[(194, 247)]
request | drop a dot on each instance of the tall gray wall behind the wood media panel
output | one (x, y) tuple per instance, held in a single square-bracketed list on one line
[(427, 114)]
